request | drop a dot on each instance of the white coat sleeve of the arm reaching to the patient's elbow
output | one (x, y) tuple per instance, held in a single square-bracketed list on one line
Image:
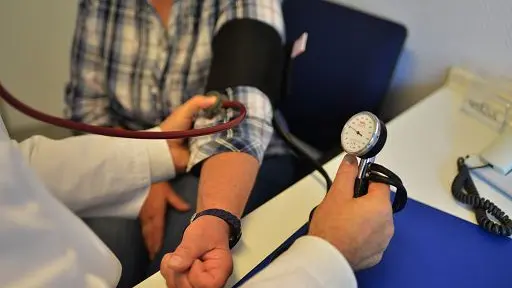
[(97, 175)]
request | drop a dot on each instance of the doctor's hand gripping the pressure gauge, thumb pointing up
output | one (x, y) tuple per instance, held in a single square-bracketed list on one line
[(360, 228)]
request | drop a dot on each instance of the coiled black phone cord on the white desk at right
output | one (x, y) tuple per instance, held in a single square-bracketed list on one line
[(464, 190)]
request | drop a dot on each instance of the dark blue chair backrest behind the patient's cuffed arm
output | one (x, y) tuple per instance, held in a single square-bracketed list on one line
[(347, 67)]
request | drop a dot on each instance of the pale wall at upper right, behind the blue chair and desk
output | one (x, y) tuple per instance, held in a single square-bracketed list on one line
[(475, 34)]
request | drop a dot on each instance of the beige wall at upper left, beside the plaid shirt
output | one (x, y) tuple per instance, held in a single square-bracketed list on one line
[(35, 38)]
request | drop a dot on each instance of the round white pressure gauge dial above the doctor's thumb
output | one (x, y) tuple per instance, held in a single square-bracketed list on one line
[(360, 133)]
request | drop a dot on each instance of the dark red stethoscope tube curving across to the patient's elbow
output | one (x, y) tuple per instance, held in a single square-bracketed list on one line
[(114, 132)]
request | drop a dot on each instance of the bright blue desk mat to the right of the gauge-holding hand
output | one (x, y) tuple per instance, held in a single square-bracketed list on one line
[(433, 249)]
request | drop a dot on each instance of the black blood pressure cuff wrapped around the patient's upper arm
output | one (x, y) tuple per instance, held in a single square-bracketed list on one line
[(248, 52)]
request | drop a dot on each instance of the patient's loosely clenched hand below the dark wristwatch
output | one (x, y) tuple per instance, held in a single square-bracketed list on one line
[(203, 259)]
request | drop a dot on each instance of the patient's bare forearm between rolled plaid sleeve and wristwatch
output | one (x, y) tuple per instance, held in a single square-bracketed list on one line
[(226, 182)]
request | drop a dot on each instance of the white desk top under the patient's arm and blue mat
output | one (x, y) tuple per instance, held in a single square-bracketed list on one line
[(422, 148)]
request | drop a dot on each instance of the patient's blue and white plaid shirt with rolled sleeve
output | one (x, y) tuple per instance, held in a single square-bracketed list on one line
[(128, 70)]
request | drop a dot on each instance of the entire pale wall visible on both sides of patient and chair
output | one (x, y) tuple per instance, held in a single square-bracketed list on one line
[(442, 33)]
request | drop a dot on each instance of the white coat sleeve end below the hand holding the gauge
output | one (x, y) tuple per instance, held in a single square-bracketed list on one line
[(309, 262)]
